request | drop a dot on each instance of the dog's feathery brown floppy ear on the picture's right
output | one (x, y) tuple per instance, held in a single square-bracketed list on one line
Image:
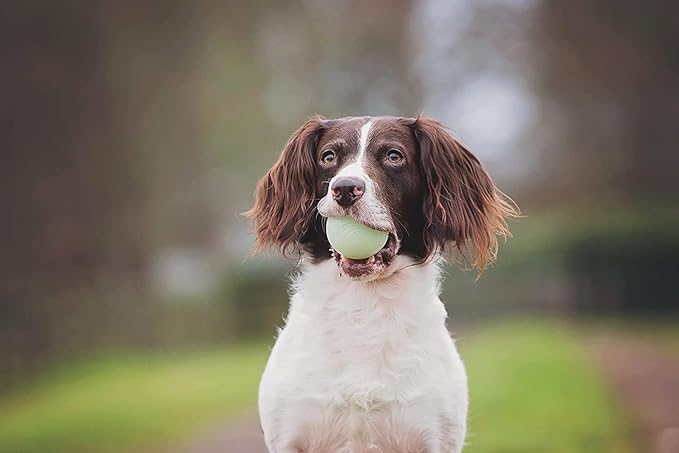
[(462, 206)]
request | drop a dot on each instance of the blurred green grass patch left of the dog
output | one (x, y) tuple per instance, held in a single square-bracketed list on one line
[(113, 405)]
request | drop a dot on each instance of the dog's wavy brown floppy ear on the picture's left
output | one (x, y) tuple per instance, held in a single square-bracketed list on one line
[(285, 196)]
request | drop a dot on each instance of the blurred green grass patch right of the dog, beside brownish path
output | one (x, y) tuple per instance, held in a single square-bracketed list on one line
[(534, 390)]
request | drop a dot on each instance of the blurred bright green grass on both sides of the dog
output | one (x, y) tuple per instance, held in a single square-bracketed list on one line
[(533, 389)]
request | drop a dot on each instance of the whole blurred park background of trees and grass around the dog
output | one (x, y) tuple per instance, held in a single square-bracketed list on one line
[(132, 316)]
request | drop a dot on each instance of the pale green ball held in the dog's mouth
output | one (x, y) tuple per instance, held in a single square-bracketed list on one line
[(353, 239)]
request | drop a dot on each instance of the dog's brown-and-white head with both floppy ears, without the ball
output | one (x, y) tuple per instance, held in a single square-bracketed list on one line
[(407, 177)]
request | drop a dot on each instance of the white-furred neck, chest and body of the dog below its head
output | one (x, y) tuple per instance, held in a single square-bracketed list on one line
[(364, 367)]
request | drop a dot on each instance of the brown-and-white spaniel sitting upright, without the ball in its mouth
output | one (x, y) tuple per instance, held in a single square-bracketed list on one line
[(365, 363)]
